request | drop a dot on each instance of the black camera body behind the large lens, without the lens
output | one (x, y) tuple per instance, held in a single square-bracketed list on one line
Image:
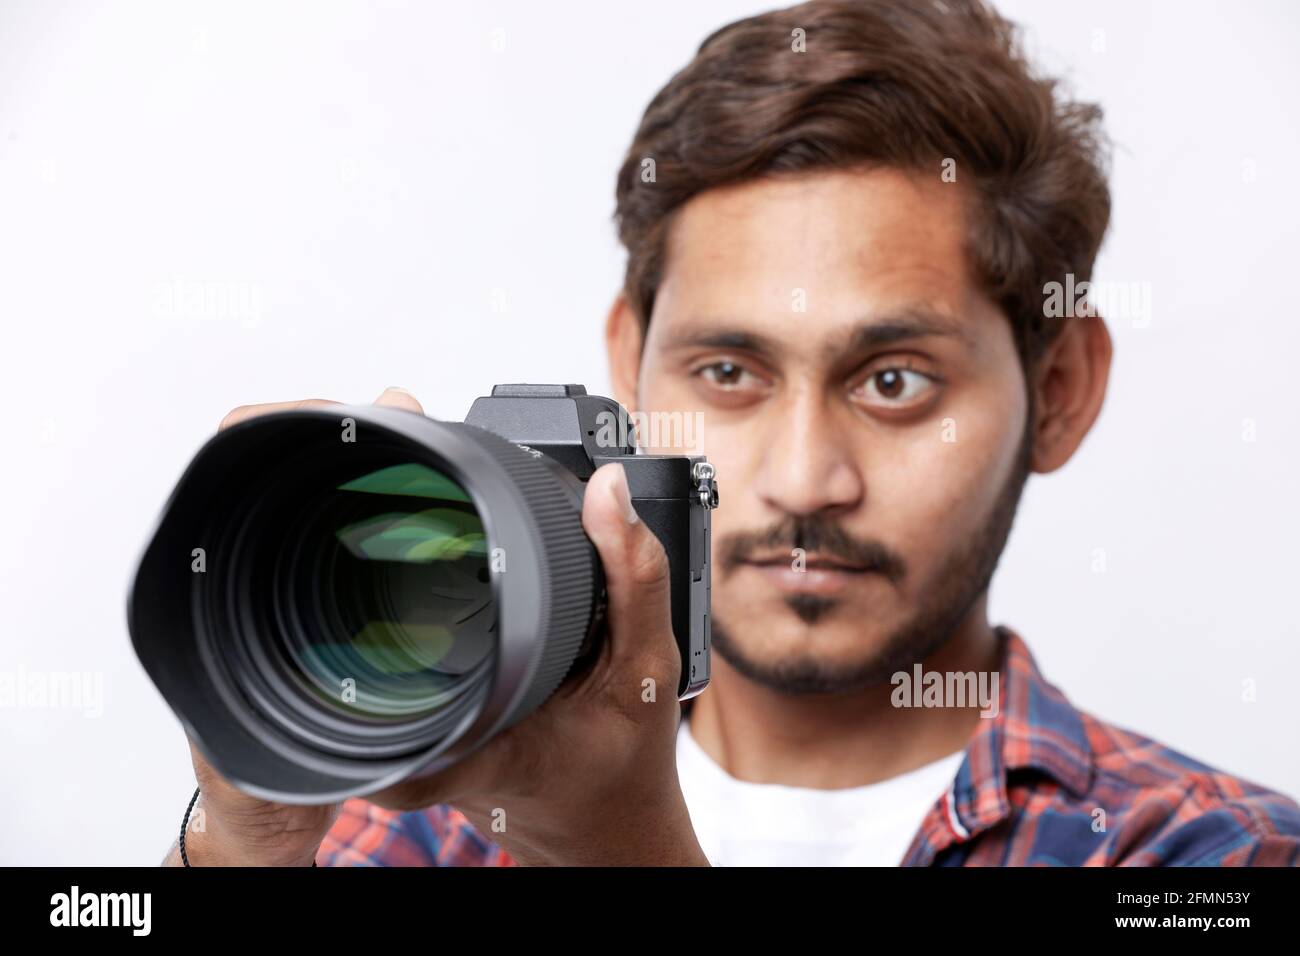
[(673, 495)]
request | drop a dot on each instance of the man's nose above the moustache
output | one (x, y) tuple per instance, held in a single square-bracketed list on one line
[(808, 465)]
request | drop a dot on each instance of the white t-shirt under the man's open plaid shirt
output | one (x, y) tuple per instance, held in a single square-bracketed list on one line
[(742, 824)]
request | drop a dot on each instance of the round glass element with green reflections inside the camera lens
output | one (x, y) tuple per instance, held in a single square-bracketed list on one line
[(389, 592)]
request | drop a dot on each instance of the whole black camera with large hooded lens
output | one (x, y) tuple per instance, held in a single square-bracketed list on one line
[(337, 600)]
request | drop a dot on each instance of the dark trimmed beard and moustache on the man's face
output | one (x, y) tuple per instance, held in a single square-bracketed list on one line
[(964, 578)]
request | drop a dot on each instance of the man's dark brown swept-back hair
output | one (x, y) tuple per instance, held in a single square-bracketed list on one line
[(882, 84)]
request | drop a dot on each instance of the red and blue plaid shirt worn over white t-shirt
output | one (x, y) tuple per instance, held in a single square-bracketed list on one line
[(1042, 785)]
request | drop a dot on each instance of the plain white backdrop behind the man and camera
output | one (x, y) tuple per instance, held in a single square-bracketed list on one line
[(379, 176)]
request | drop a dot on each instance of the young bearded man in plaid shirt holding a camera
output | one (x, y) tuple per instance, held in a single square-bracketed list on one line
[(840, 223)]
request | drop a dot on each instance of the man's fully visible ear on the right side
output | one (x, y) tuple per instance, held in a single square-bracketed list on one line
[(1071, 384)]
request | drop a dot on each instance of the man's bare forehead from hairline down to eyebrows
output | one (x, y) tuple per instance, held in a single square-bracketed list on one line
[(826, 261)]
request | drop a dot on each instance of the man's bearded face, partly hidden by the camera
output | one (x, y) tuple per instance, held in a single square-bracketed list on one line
[(864, 405)]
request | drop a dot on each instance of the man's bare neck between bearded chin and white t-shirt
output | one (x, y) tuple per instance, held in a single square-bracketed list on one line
[(831, 742)]
